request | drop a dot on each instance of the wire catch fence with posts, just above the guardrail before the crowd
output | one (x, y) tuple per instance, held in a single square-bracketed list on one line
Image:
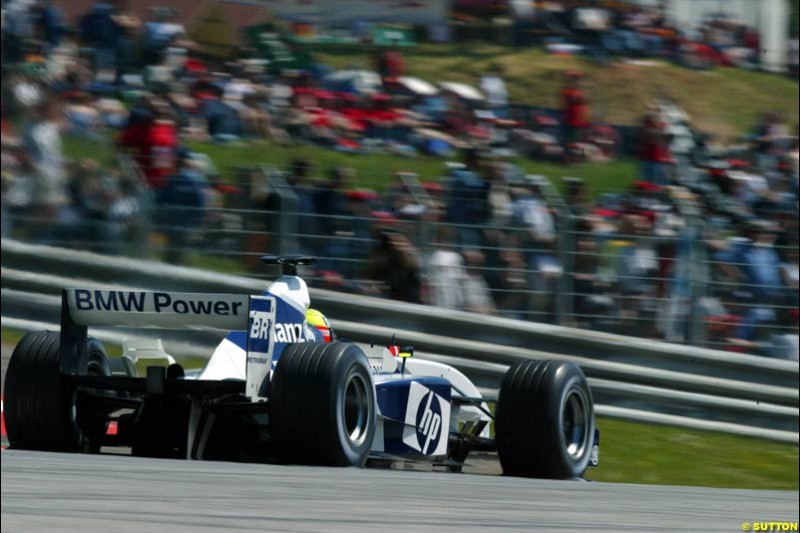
[(648, 264)]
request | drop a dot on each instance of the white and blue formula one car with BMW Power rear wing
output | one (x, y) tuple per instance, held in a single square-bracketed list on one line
[(280, 387)]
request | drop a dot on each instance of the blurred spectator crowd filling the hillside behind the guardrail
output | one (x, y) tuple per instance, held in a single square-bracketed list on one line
[(702, 249)]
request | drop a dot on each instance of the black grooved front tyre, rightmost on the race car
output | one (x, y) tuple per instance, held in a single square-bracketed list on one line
[(544, 423)]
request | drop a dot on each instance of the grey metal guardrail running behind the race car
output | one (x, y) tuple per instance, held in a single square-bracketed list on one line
[(631, 378)]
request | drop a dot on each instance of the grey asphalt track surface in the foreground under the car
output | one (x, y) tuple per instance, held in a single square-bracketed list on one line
[(61, 492)]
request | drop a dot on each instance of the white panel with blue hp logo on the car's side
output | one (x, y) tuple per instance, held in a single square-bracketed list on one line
[(427, 421)]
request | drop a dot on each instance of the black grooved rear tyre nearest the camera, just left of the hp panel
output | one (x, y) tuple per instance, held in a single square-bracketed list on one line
[(322, 405)]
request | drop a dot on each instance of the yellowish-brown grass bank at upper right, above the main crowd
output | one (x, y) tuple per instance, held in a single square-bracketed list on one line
[(723, 101)]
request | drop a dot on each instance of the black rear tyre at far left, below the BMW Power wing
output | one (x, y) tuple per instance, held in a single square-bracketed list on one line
[(40, 412)]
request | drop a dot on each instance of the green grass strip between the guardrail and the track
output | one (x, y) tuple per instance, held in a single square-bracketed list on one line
[(664, 455)]
